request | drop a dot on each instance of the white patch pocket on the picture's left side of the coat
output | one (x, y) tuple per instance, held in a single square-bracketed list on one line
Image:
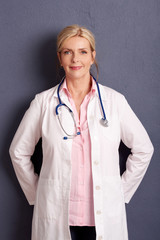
[(49, 199)]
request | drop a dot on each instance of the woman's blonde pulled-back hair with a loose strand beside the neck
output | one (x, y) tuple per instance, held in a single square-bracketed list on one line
[(76, 30)]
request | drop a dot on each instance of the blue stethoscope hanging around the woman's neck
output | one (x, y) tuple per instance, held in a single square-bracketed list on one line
[(103, 120)]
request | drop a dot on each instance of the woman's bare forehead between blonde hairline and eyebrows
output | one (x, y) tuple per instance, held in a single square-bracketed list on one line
[(76, 42)]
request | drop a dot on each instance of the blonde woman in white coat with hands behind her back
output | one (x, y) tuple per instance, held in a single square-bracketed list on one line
[(81, 123)]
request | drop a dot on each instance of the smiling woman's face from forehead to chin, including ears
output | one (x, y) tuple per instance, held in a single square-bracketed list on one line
[(76, 57)]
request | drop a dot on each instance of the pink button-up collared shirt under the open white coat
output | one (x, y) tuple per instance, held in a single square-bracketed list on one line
[(81, 211)]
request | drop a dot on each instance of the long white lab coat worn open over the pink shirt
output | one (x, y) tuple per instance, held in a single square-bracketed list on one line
[(51, 190)]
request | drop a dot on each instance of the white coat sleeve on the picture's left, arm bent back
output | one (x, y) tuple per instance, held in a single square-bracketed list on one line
[(22, 148)]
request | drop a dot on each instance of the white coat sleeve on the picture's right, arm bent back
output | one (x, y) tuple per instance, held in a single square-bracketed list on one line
[(135, 137)]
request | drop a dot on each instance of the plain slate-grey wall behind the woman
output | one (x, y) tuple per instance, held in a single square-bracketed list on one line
[(128, 52)]
